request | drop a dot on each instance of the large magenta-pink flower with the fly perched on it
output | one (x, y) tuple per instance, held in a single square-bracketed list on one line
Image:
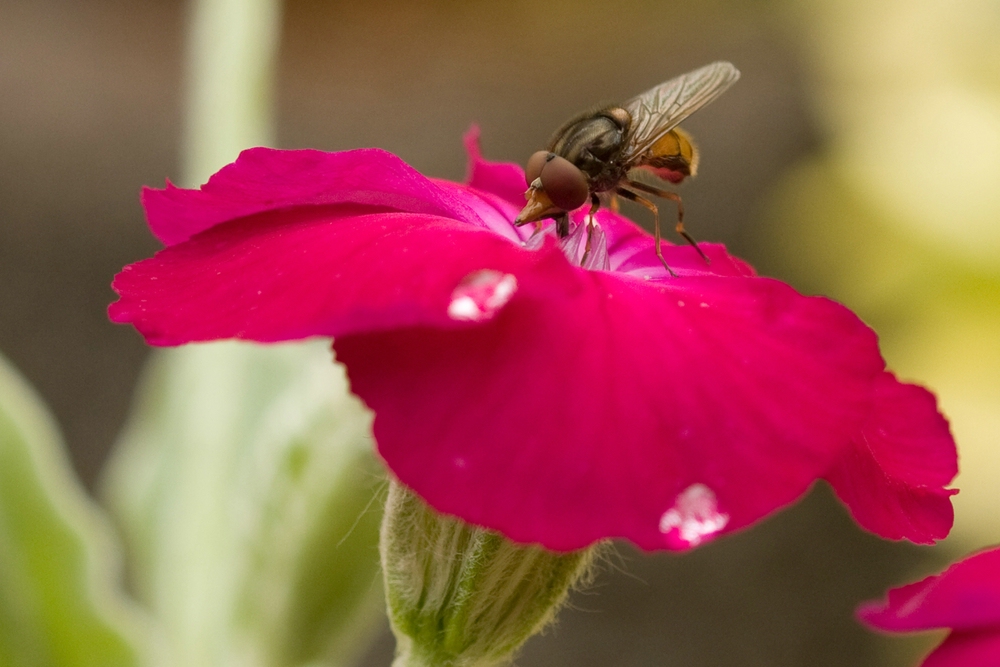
[(557, 403)]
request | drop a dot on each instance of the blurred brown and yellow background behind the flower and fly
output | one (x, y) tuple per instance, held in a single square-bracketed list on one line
[(858, 157)]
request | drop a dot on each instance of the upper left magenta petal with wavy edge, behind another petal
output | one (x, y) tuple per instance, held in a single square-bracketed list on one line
[(264, 179)]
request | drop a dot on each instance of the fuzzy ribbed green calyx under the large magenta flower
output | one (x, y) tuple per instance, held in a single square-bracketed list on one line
[(462, 596)]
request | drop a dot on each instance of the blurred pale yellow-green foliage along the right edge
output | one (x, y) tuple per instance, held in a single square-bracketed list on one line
[(898, 213)]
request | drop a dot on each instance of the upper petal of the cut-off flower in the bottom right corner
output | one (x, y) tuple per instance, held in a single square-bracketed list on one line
[(966, 596)]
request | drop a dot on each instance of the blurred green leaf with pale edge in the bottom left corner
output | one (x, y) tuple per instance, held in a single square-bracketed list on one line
[(58, 562)]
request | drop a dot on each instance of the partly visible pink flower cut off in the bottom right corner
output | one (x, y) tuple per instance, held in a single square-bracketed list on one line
[(964, 598)]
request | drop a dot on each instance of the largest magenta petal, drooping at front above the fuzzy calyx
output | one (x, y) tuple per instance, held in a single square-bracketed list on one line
[(599, 405)]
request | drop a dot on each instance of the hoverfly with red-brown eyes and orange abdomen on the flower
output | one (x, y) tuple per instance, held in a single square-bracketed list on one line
[(596, 152)]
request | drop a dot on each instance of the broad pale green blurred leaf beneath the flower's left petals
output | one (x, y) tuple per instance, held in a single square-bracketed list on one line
[(246, 488)]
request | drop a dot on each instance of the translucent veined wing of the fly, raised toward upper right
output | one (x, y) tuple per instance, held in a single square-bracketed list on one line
[(661, 109)]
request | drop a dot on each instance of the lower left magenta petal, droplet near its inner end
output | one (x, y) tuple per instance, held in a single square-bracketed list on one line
[(310, 271)]
